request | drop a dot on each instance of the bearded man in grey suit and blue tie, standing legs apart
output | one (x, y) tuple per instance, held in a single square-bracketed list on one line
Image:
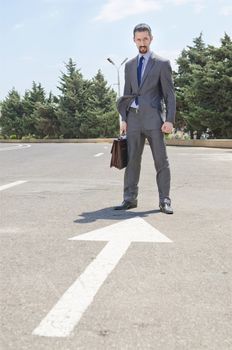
[(147, 108)]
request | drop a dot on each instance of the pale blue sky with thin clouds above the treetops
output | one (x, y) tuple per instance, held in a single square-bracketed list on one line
[(38, 37)]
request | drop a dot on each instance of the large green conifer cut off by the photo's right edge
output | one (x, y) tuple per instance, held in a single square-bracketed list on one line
[(213, 90)]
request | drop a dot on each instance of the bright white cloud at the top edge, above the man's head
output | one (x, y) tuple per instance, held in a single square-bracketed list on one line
[(116, 10)]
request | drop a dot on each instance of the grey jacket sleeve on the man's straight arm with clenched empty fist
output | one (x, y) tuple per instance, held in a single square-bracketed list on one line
[(168, 91)]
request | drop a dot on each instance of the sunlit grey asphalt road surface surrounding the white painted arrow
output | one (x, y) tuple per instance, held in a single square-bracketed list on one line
[(160, 296)]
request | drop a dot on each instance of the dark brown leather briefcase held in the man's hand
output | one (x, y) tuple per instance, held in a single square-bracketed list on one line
[(119, 153)]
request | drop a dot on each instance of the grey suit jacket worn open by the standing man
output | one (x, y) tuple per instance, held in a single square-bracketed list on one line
[(156, 95)]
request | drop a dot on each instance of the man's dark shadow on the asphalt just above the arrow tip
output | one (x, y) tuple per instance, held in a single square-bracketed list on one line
[(111, 214)]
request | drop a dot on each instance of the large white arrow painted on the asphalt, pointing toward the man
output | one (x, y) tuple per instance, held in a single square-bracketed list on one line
[(68, 311)]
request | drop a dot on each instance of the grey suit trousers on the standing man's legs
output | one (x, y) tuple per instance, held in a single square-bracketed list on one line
[(135, 141)]
